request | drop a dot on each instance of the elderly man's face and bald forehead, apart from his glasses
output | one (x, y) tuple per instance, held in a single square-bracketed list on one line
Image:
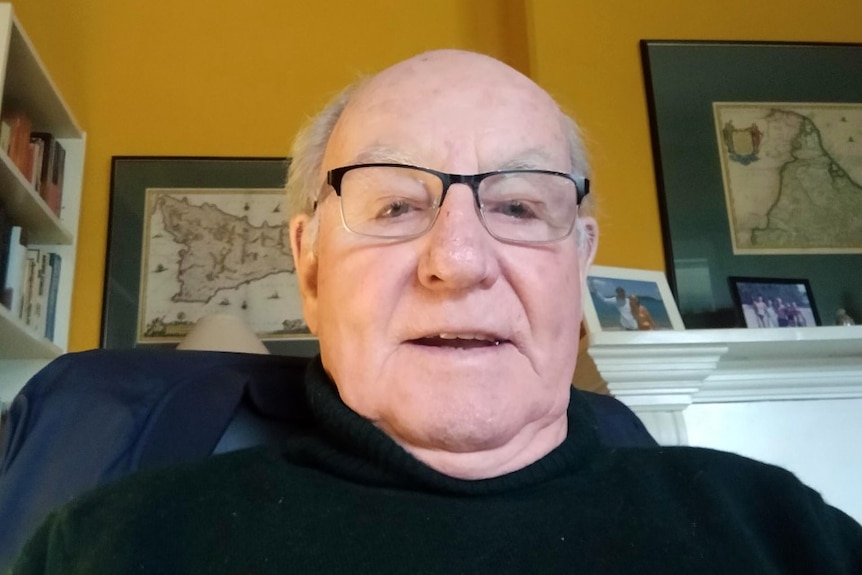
[(454, 341)]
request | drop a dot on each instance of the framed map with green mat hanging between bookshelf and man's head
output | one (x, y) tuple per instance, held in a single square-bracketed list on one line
[(190, 237)]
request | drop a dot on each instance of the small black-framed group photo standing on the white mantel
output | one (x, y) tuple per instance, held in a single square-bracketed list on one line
[(770, 302)]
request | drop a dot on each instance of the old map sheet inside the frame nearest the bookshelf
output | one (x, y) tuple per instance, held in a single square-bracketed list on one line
[(223, 251)]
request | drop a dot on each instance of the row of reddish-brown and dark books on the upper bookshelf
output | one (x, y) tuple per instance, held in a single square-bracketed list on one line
[(38, 155)]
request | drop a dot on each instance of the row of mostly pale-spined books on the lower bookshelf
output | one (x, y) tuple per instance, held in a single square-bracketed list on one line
[(30, 279)]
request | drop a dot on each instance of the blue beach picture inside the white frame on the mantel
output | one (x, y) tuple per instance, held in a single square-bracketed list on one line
[(628, 305)]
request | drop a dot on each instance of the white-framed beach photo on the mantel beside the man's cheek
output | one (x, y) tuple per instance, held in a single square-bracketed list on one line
[(622, 299)]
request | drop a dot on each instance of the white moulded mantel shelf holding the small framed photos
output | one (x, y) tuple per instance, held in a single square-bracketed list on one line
[(672, 369)]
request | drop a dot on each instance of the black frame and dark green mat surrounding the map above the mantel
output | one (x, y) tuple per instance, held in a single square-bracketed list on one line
[(683, 79)]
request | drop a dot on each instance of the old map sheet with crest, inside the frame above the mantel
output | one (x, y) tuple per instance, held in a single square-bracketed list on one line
[(792, 176)]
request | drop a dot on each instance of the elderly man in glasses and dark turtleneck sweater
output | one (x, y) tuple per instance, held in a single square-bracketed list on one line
[(441, 256)]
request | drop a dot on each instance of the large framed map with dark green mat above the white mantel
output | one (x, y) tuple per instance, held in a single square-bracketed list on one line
[(758, 158)]
